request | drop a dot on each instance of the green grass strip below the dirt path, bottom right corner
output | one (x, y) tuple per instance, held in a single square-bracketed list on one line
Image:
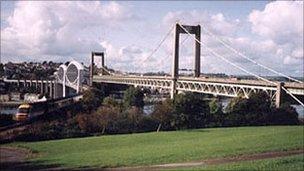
[(291, 163)]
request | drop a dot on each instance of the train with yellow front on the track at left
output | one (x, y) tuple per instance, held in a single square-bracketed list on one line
[(27, 111)]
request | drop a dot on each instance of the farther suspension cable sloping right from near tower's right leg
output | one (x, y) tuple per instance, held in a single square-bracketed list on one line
[(246, 57)]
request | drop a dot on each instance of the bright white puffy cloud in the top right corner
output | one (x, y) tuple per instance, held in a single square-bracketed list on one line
[(279, 20)]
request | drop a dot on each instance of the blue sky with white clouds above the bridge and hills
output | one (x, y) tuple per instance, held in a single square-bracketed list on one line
[(269, 32)]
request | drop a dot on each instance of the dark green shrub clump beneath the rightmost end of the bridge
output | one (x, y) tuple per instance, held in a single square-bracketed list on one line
[(257, 110)]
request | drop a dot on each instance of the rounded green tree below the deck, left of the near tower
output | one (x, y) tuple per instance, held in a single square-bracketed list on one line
[(133, 97)]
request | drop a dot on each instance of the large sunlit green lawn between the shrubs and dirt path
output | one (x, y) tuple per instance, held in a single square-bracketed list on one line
[(165, 147)]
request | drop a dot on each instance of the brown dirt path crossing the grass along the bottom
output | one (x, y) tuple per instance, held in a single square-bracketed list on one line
[(15, 159)]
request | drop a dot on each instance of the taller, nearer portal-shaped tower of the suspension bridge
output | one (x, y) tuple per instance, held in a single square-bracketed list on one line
[(196, 30)]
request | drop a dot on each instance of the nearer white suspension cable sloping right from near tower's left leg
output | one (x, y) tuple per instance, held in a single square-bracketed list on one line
[(223, 58)]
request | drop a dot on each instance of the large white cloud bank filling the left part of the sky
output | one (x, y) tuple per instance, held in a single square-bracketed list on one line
[(63, 28)]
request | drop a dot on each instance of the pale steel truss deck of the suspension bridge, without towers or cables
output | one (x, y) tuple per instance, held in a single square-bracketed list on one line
[(217, 87)]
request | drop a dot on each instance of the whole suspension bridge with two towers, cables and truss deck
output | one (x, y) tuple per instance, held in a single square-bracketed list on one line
[(215, 86)]
